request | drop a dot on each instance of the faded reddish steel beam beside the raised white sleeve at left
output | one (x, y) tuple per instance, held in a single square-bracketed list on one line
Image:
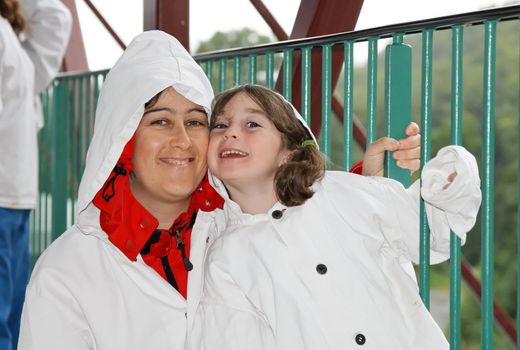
[(75, 58)]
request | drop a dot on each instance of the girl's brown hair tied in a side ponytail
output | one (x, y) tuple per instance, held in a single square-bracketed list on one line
[(305, 165)]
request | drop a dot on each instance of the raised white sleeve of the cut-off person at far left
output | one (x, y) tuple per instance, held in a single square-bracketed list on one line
[(47, 35)]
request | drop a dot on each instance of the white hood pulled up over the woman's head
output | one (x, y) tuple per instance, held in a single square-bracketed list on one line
[(152, 62)]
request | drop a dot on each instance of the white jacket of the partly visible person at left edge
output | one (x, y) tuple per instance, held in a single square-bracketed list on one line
[(24, 73)]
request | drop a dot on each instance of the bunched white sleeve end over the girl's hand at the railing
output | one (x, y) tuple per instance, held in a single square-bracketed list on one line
[(457, 206)]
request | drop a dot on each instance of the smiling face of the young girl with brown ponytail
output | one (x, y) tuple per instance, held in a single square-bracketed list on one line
[(245, 148)]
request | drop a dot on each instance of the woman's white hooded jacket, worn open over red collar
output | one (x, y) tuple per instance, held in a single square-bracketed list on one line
[(84, 292)]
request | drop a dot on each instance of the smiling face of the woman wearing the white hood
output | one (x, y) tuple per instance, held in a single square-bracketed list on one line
[(169, 158)]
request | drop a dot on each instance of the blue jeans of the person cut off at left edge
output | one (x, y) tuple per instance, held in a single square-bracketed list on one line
[(14, 272)]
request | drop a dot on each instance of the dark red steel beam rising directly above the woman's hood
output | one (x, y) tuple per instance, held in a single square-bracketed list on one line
[(169, 16)]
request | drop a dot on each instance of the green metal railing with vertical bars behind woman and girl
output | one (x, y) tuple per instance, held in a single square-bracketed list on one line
[(70, 102)]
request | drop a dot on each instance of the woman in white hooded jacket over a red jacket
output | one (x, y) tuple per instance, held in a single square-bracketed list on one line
[(117, 279)]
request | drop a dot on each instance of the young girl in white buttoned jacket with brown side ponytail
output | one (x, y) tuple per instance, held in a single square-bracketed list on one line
[(301, 264)]
